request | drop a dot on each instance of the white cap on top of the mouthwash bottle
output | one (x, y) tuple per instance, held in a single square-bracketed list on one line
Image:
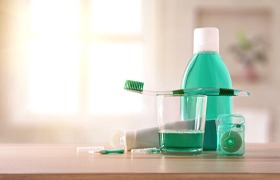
[(206, 39)]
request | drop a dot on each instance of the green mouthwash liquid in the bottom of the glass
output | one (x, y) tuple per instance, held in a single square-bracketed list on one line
[(181, 142)]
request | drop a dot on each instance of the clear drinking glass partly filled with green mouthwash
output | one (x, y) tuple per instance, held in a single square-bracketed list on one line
[(181, 131)]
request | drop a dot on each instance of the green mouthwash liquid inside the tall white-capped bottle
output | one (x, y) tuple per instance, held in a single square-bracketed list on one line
[(207, 69)]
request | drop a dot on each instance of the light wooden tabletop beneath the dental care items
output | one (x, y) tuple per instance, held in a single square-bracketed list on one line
[(49, 161)]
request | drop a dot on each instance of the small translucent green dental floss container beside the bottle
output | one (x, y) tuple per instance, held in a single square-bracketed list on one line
[(230, 135)]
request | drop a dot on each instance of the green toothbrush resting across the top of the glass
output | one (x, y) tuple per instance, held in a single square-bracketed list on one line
[(136, 86)]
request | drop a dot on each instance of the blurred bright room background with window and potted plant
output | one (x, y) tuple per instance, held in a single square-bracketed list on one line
[(63, 64)]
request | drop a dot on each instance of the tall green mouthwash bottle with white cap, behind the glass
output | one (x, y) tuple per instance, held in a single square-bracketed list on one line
[(207, 69)]
